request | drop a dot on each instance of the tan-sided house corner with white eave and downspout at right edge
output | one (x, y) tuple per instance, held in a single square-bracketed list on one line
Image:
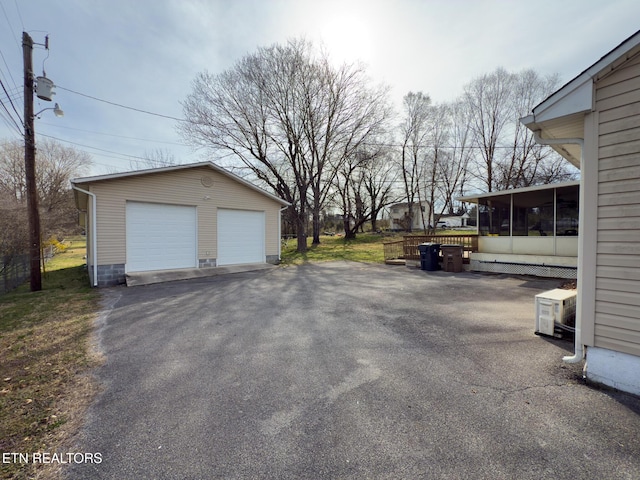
[(594, 122)]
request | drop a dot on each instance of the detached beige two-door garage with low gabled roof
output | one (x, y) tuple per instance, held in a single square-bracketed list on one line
[(179, 217)]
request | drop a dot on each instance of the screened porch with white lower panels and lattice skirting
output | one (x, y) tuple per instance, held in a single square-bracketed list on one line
[(528, 231)]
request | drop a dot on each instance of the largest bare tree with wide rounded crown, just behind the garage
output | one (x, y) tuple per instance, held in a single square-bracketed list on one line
[(290, 118)]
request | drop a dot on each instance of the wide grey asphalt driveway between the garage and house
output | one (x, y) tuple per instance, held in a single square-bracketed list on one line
[(347, 370)]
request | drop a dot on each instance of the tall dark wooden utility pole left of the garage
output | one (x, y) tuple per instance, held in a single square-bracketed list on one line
[(30, 165)]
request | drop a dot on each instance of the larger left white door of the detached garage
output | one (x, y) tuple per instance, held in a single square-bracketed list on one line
[(160, 236)]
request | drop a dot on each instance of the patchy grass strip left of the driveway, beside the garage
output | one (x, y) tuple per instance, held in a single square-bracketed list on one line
[(46, 354)]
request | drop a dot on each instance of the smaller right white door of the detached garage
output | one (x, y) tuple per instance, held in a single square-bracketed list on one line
[(240, 237)]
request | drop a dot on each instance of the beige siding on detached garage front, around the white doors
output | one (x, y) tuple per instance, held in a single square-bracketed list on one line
[(179, 187)]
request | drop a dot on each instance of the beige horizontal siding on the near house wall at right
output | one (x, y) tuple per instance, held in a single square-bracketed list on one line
[(617, 299)]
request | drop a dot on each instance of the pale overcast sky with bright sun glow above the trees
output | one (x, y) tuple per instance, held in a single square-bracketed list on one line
[(145, 53)]
